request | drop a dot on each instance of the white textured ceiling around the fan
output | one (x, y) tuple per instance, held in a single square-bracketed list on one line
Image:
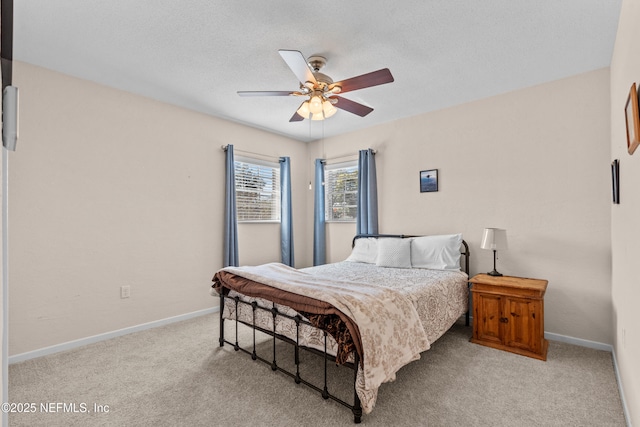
[(197, 53)]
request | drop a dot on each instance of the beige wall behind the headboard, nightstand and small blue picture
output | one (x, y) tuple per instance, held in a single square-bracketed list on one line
[(535, 162)]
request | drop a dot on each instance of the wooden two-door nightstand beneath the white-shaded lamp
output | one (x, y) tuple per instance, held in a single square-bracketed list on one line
[(508, 314)]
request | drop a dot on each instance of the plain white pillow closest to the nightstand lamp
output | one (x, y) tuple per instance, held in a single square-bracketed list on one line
[(436, 252)]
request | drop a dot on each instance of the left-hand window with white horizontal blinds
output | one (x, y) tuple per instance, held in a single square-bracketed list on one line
[(257, 190)]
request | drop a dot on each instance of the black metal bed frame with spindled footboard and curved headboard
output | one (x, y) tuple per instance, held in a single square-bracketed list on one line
[(356, 407)]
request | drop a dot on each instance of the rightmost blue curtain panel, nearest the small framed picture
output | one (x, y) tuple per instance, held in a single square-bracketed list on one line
[(367, 220)]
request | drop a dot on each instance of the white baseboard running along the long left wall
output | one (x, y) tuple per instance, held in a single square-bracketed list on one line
[(108, 335)]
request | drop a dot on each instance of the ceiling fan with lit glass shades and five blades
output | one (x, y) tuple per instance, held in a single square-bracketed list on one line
[(320, 90)]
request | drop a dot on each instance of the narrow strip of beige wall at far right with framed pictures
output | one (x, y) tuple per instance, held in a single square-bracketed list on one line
[(625, 224)]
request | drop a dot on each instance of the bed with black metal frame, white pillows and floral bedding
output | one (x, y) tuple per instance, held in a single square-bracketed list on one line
[(374, 312)]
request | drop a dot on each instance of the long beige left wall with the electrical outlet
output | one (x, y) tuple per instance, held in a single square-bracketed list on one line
[(111, 189)]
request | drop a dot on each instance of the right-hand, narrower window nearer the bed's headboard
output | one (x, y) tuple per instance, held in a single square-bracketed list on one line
[(341, 191)]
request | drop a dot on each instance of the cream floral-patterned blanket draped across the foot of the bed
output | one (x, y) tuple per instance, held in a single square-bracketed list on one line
[(383, 315)]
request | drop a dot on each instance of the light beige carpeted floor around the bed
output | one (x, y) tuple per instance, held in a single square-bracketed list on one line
[(177, 375)]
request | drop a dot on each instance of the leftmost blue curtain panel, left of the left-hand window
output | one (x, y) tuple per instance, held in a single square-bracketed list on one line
[(230, 217)]
